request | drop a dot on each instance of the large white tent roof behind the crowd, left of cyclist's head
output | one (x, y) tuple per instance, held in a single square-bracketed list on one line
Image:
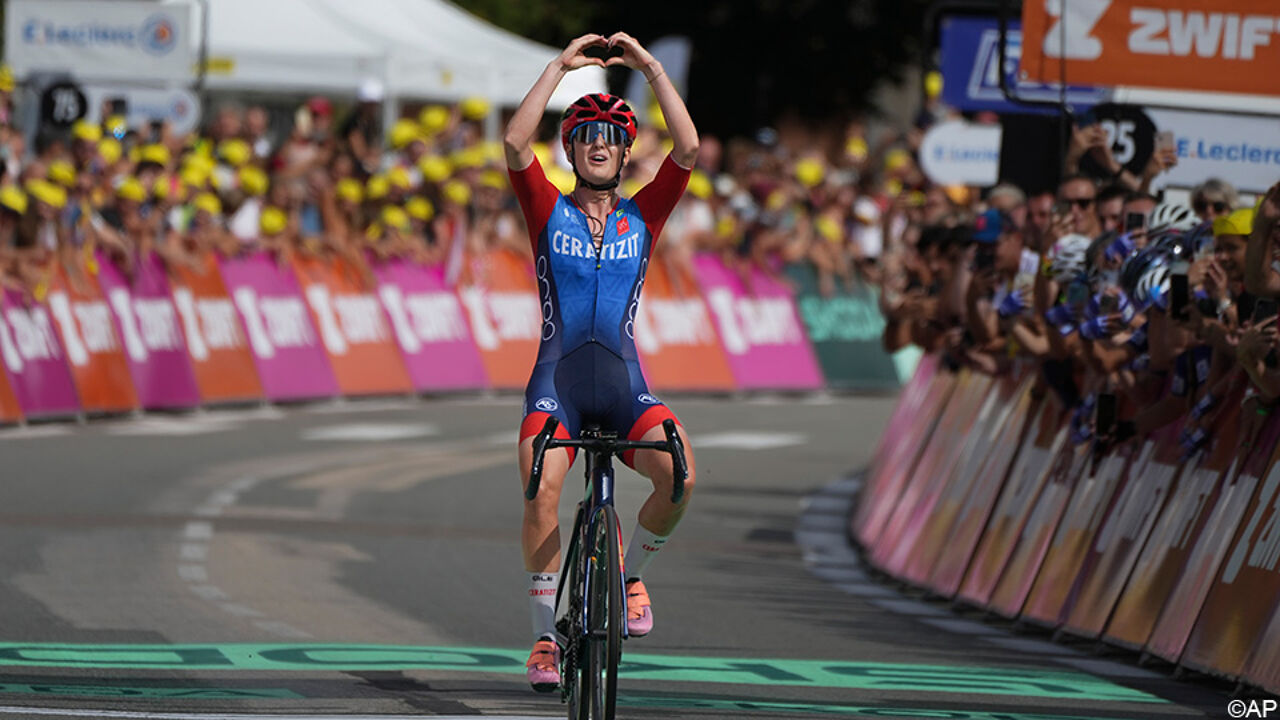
[(418, 49)]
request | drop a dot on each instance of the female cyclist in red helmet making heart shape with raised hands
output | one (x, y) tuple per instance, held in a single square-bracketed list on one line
[(592, 250)]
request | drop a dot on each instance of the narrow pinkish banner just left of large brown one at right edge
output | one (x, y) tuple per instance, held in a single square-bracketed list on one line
[(1200, 573)]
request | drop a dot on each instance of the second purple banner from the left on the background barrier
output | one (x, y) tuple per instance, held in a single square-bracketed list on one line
[(154, 340)]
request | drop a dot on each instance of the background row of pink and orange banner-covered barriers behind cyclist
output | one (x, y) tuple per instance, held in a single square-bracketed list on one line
[(102, 336)]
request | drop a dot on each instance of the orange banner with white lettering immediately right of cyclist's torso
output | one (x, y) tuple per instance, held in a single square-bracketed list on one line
[(676, 336)]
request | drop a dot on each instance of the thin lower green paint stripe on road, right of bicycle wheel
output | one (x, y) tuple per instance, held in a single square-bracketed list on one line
[(848, 710)]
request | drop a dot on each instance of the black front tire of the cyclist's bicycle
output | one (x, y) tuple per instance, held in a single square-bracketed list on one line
[(605, 617)]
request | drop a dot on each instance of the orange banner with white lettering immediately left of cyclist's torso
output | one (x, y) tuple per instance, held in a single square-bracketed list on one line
[(500, 294)]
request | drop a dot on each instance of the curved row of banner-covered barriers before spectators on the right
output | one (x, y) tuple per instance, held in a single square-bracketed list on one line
[(975, 494)]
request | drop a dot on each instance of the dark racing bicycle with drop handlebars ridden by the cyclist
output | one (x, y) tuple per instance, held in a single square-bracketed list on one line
[(595, 622)]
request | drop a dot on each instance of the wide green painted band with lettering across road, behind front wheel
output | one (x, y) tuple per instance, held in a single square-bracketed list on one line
[(636, 667)]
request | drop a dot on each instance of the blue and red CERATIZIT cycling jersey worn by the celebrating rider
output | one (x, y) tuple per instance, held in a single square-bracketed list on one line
[(588, 370)]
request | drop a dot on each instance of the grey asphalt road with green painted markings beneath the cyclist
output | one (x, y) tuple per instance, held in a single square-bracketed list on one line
[(363, 560)]
